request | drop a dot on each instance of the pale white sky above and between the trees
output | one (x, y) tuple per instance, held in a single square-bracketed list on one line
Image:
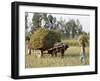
[(84, 19)]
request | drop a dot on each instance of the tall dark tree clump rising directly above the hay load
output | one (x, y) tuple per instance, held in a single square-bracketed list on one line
[(44, 20)]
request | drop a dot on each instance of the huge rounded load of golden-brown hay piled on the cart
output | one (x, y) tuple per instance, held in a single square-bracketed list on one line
[(44, 38)]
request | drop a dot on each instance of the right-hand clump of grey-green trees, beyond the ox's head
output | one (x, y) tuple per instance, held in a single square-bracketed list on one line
[(70, 29)]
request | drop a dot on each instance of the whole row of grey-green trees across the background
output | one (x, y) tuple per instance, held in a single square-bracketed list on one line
[(67, 29)]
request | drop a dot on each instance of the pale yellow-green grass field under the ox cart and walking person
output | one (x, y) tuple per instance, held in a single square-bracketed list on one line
[(71, 58)]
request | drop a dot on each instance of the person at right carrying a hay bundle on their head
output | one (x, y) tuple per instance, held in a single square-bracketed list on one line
[(82, 41)]
